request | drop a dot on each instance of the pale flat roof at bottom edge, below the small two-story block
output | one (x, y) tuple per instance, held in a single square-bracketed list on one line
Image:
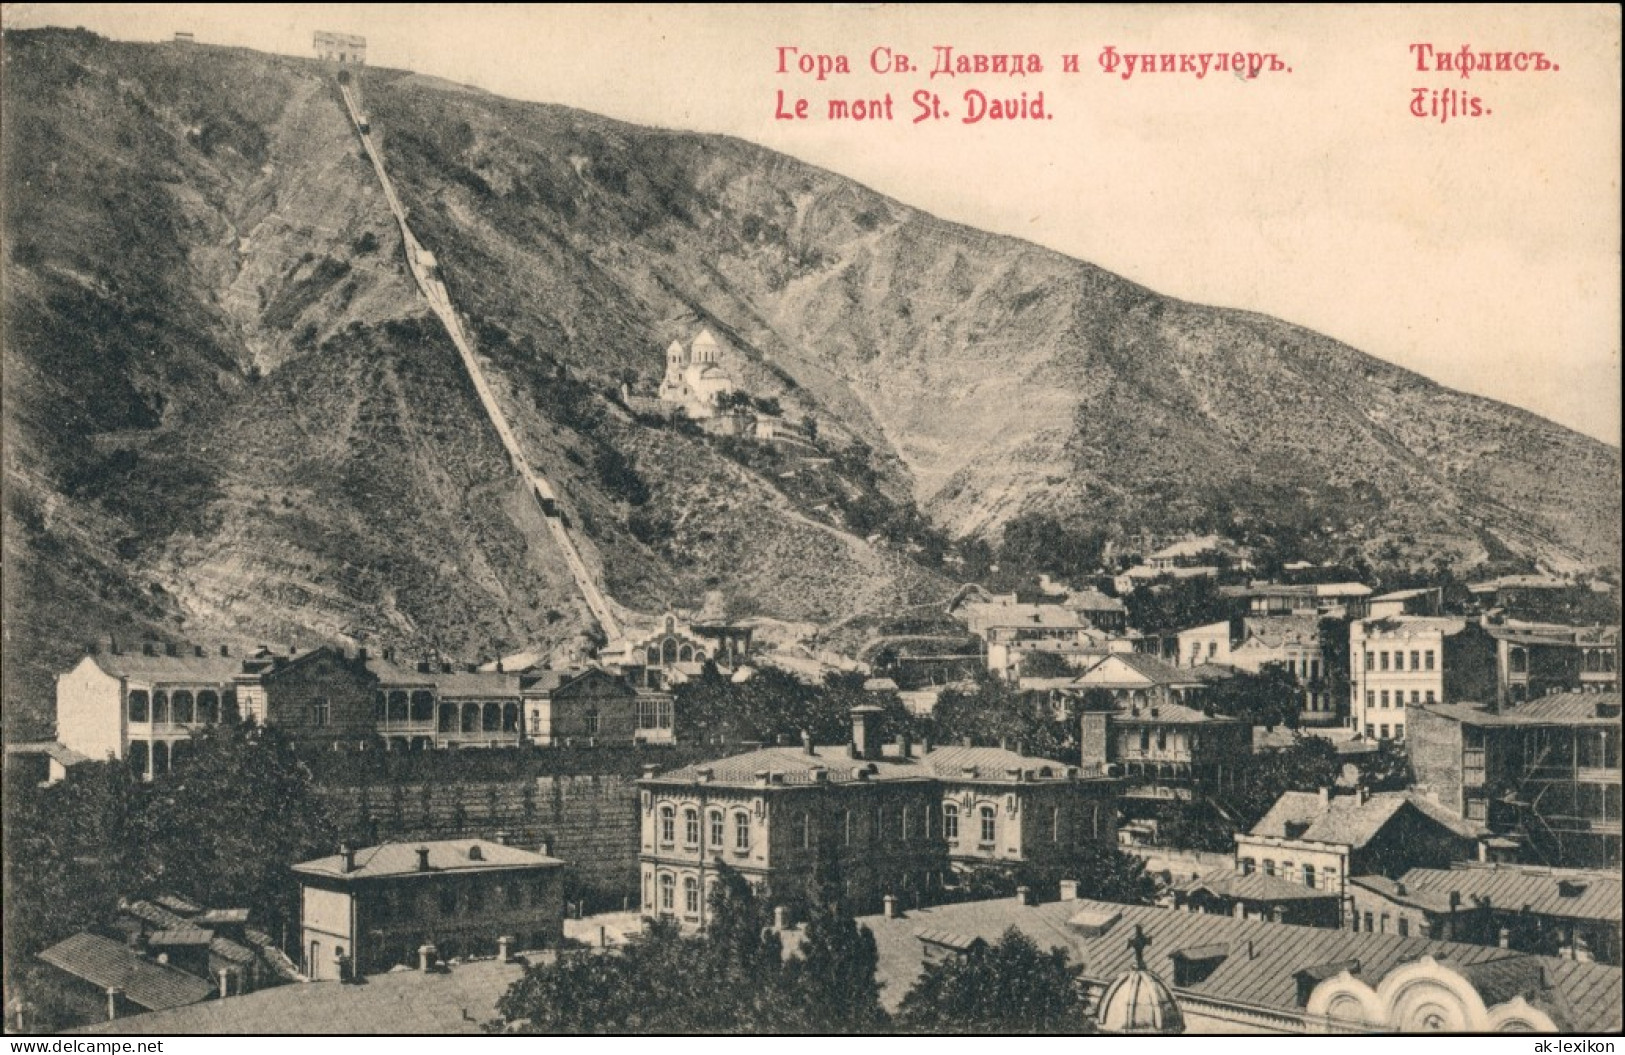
[(407, 1002)]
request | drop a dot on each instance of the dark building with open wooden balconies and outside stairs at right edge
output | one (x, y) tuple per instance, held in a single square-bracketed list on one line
[(1545, 771)]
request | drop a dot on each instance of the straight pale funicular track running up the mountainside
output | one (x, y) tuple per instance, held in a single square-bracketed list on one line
[(423, 267)]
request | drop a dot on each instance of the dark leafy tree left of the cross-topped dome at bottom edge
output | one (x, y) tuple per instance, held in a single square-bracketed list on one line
[(1002, 989)]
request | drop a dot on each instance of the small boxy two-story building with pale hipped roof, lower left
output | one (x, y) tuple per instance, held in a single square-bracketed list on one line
[(366, 911)]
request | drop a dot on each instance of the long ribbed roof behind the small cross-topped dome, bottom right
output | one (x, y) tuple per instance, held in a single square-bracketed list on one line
[(1260, 968)]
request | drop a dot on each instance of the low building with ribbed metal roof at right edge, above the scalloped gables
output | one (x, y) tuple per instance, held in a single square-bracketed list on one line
[(1566, 913)]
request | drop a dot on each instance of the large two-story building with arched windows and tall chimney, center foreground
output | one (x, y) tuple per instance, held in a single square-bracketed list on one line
[(899, 823)]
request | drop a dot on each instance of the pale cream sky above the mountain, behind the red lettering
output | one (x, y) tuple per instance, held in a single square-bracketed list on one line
[(1483, 253)]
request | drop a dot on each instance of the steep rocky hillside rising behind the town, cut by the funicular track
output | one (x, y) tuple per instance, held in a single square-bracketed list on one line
[(228, 415)]
